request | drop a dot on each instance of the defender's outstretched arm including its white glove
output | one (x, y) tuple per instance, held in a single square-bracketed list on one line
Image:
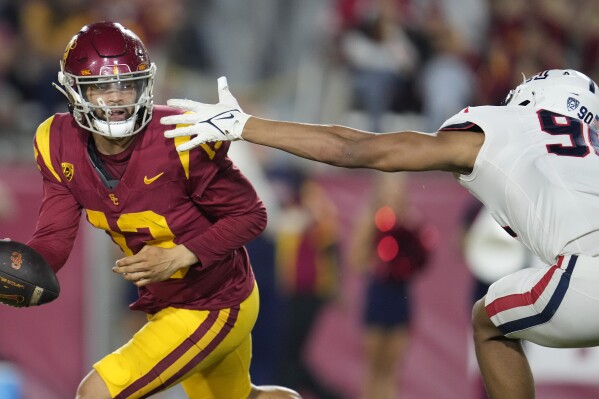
[(334, 145)]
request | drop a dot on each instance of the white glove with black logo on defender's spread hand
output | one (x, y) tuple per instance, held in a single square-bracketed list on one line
[(208, 122)]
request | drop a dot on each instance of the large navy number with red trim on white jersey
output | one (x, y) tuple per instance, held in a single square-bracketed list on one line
[(556, 124)]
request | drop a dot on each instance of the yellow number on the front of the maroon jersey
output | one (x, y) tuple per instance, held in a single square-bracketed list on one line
[(132, 222)]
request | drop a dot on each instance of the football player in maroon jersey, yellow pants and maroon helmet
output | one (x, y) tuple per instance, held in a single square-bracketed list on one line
[(181, 219)]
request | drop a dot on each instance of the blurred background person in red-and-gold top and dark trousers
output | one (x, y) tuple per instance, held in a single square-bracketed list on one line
[(307, 259)]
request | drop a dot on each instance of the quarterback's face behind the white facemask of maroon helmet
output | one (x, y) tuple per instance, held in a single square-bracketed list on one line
[(118, 96)]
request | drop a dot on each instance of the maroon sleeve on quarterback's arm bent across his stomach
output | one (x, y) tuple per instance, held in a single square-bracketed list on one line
[(238, 214)]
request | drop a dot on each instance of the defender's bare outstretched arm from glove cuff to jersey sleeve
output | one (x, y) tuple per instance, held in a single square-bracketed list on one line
[(351, 148)]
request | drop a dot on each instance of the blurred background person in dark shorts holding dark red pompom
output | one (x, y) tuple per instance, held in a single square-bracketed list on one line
[(393, 246)]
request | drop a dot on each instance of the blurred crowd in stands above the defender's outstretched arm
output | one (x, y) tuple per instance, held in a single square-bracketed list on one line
[(309, 60)]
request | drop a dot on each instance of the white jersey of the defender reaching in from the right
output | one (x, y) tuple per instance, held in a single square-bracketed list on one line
[(538, 174)]
